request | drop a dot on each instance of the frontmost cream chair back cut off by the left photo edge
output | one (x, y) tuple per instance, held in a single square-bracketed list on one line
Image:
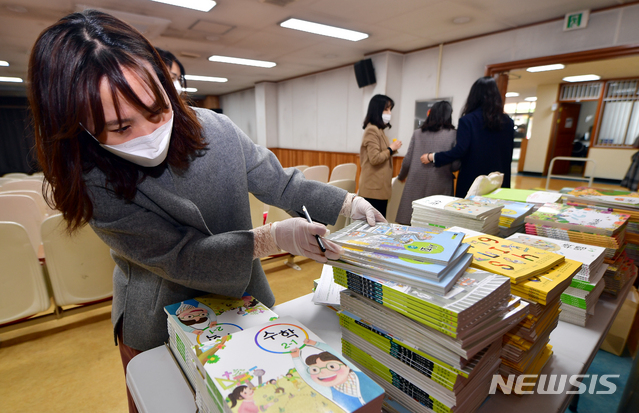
[(24, 291)]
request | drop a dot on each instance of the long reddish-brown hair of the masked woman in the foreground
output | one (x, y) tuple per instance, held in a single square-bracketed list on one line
[(67, 64)]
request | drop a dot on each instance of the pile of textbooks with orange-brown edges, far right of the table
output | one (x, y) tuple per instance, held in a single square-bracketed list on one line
[(584, 225)]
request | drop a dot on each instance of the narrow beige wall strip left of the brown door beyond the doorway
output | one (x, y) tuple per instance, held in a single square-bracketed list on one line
[(542, 126)]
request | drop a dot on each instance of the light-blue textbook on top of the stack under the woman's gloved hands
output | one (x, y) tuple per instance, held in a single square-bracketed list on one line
[(425, 244)]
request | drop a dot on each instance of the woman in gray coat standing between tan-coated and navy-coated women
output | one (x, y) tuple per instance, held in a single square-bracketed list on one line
[(436, 134)]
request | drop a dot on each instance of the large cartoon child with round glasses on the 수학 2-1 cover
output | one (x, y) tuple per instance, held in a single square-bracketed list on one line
[(332, 377)]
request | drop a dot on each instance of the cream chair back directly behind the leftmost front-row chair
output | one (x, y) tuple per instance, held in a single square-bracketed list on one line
[(24, 211)]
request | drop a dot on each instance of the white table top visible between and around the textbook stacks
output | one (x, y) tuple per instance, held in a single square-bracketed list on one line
[(157, 384)]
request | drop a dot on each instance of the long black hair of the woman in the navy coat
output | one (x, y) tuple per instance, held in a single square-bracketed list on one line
[(485, 94)]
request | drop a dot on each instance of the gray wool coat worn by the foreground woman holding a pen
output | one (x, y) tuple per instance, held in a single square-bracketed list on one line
[(186, 234)]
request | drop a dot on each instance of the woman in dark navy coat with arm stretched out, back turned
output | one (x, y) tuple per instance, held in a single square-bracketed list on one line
[(485, 137)]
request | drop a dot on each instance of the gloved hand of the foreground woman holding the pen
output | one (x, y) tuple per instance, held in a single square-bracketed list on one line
[(297, 236)]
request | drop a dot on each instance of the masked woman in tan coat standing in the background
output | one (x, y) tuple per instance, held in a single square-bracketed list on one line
[(376, 154)]
